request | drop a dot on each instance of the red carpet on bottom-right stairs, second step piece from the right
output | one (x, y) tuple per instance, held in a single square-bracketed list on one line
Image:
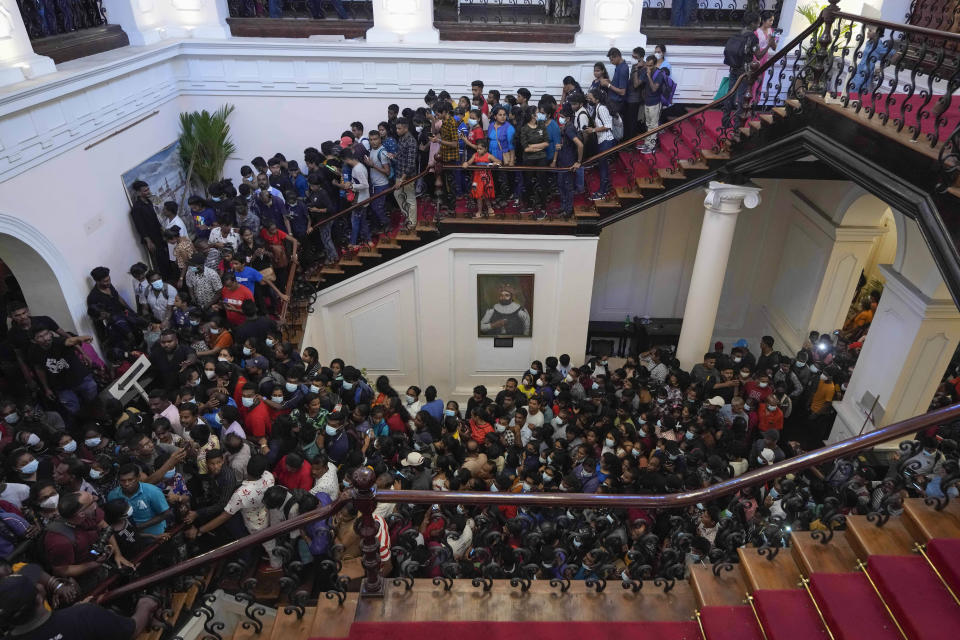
[(917, 598)]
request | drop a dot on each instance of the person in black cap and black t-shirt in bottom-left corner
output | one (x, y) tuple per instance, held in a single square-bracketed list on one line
[(23, 611)]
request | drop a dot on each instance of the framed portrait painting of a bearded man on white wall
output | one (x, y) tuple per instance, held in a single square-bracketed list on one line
[(505, 305)]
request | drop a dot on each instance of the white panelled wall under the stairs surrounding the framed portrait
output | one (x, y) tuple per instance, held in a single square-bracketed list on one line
[(415, 319)]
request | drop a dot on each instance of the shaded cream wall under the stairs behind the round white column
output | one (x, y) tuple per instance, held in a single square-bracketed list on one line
[(781, 251)]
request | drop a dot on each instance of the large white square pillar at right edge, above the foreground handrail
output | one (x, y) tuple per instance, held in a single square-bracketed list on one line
[(905, 354)]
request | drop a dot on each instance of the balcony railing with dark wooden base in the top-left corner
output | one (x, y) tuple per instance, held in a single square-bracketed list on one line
[(69, 29)]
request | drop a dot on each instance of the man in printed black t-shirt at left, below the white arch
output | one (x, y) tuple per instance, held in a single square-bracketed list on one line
[(61, 374)]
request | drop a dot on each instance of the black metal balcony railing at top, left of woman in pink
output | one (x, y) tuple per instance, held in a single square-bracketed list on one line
[(706, 14)]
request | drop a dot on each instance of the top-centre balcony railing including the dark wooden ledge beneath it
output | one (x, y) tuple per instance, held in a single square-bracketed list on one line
[(507, 20)]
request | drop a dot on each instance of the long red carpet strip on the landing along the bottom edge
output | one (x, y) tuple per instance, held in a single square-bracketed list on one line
[(525, 630)]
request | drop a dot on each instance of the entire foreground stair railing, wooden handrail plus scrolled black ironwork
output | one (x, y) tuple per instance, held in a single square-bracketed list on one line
[(562, 537)]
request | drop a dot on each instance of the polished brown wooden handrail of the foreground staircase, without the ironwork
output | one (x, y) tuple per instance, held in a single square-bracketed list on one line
[(610, 501)]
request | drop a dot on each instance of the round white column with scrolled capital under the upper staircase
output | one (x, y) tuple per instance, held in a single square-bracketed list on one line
[(721, 206)]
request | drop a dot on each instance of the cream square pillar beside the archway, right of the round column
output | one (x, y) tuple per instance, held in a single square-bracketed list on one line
[(848, 257)]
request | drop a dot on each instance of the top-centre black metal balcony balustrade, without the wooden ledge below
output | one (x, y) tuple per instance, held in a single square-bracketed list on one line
[(507, 12)]
